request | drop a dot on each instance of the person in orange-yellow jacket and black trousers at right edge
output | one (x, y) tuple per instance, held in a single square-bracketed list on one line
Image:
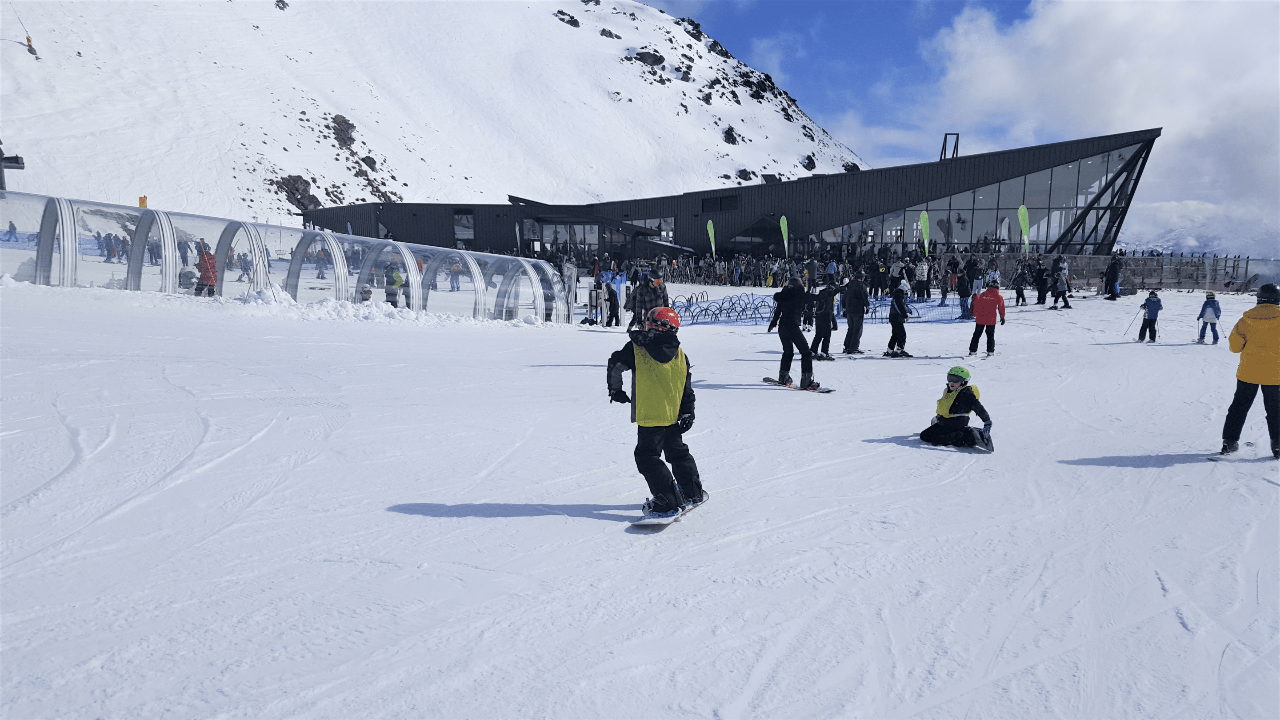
[(1258, 339)]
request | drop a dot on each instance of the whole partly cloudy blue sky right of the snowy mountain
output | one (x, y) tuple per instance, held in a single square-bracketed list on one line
[(889, 79)]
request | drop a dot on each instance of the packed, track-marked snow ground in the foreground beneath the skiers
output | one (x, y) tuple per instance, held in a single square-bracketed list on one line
[(217, 509)]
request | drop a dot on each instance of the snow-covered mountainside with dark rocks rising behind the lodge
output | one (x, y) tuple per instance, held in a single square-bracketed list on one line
[(223, 108)]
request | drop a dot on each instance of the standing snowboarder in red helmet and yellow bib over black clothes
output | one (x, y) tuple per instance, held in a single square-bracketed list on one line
[(662, 407)]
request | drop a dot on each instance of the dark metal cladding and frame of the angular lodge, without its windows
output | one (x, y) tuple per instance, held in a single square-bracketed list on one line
[(811, 206)]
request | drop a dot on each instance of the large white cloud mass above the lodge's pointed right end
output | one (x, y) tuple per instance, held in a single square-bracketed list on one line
[(1206, 72)]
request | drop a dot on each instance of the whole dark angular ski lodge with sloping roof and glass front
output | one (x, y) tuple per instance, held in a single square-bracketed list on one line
[(1076, 194)]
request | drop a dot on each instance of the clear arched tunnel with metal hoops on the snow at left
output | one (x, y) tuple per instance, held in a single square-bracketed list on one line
[(81, 244)]
